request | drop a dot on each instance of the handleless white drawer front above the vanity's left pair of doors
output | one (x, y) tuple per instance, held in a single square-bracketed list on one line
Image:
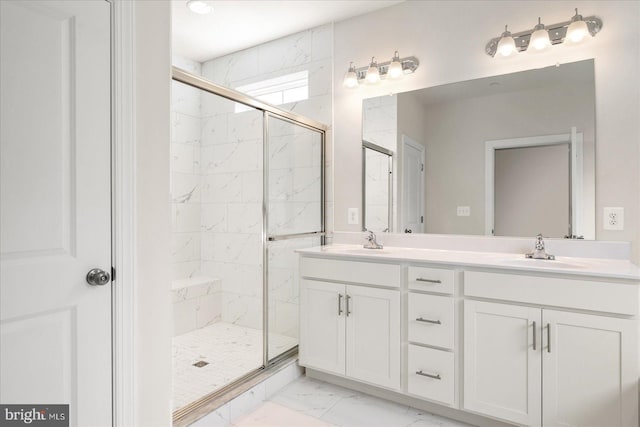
[(351, 271)]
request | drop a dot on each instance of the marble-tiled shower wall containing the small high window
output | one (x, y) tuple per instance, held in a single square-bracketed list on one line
[(231, 155)]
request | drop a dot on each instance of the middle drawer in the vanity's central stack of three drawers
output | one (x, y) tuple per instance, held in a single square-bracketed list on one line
[(431, 320)]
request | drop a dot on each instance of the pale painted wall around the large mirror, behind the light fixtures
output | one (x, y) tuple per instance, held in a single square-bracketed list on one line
[(450, 46)]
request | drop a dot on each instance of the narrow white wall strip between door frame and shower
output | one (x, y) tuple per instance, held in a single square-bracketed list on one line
[(152, 315)]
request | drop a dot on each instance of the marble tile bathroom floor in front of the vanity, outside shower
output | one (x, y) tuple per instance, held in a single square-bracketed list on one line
[(307, 402)]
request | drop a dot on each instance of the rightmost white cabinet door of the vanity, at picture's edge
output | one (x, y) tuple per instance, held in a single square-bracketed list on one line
[(590, 370)]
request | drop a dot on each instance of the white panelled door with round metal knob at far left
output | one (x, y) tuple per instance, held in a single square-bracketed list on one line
[(55, 206)]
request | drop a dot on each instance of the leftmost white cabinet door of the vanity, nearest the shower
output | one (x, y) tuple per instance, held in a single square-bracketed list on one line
[(322, 326)]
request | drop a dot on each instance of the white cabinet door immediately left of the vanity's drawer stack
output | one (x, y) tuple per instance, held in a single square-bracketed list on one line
[(373, 335)]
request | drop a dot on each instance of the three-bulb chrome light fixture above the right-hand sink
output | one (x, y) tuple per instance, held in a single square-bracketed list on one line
[(572, 31)]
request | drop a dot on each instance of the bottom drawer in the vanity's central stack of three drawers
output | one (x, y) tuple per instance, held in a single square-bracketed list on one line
[(437, 363)]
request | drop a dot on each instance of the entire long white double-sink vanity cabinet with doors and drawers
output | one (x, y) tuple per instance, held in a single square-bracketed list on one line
[(494, 344)]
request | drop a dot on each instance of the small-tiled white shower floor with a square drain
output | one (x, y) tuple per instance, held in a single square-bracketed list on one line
[(231, 351)]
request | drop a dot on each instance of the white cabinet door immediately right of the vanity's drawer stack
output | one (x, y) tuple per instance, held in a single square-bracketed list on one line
[(502, 369)]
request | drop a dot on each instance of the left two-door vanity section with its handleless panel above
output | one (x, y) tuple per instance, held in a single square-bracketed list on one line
[(350, 329)]
